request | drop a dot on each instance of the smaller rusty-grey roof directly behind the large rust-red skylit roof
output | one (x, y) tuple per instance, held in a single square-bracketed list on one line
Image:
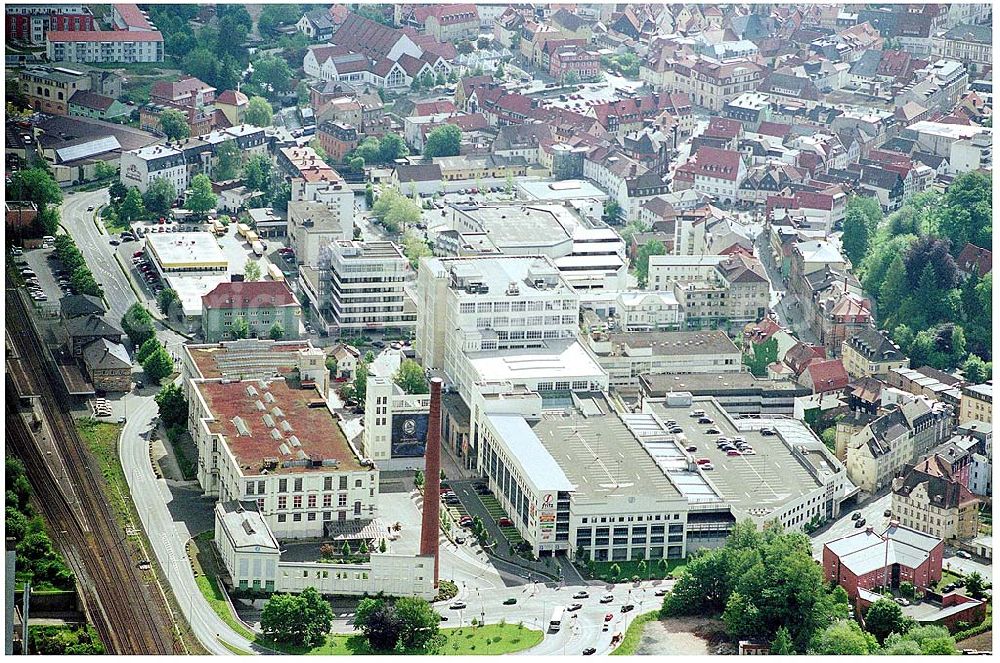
[(247, 358)]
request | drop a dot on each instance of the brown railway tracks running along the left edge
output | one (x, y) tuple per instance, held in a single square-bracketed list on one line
[(128, 615)]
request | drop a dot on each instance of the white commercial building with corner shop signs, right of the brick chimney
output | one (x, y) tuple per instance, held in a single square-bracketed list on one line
[(574, 479)]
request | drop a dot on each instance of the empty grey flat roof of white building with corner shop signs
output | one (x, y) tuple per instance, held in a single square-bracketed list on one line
[(598, 452)]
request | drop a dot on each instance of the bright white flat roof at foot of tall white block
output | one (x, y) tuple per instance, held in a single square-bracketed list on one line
[(559, 360)]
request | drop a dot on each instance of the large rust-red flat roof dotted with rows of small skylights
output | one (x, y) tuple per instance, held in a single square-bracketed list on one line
[(293, 426)]
